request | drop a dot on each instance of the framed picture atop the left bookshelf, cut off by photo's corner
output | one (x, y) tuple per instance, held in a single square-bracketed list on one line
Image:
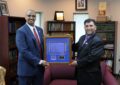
[(4, 8)]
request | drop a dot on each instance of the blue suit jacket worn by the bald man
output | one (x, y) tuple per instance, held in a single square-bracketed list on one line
[(29, 52)]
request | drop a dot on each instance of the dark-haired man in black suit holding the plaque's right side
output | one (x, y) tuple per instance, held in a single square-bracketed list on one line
[(90, 49)]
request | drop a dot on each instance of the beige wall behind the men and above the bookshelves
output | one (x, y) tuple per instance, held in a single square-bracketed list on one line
[(47, 7)]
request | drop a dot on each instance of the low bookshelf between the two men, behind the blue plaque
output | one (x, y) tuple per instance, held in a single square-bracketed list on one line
[(61, 28)]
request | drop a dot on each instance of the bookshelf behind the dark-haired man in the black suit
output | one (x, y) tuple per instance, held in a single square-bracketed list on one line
[(107, 32)]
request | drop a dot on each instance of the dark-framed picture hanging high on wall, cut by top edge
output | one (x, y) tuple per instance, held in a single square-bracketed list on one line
[(81, 4)]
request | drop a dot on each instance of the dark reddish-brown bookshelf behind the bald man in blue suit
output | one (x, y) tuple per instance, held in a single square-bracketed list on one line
[(8, 51)]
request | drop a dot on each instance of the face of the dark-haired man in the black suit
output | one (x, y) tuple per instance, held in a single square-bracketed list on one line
[(90, 28)]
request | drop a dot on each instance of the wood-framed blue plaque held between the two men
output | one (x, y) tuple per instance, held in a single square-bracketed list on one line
[(57, 49)]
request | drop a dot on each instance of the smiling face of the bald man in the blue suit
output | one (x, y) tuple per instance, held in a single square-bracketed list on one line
[(30, 17)]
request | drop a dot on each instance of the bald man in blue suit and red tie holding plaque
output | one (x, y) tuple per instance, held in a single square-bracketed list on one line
[(29, 41)]
